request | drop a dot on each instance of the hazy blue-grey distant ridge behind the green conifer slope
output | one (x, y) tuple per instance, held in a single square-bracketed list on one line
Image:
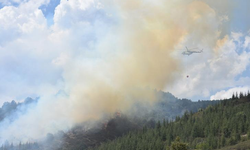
[(166, 107)]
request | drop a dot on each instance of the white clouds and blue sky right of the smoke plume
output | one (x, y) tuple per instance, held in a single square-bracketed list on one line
[(228, 72)]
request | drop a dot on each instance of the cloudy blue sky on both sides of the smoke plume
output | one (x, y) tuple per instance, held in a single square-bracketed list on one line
[(38, 37)]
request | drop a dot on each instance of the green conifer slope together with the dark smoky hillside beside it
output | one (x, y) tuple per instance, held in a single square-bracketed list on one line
[(214, 126)]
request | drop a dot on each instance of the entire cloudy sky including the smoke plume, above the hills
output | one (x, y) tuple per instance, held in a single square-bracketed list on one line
[(85, 58)]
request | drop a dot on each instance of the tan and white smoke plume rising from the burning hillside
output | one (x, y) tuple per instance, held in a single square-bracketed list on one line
[(122, 66)]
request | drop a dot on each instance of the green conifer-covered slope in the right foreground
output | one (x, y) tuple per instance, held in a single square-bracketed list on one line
[(224, 124)]
